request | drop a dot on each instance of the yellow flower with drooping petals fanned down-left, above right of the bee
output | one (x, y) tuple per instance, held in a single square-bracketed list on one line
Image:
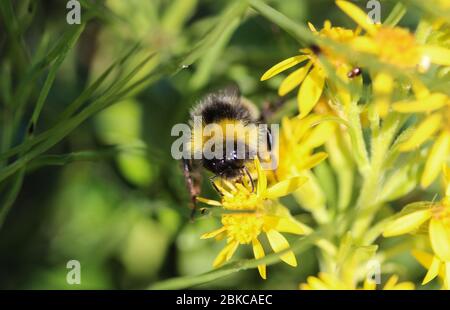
[(311, 76)]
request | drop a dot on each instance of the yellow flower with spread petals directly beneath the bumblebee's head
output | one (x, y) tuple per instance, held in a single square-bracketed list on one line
[(256, 212)]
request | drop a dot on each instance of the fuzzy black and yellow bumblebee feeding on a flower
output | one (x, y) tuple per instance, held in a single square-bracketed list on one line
[(225, 111)]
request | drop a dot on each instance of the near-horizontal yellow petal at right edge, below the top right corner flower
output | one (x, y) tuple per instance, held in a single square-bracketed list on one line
[(430, 103)]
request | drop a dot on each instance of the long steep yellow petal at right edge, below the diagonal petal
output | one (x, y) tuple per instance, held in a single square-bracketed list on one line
[(436, 158)]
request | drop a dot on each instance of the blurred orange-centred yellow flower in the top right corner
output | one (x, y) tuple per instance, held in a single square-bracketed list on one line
[(393, 45)]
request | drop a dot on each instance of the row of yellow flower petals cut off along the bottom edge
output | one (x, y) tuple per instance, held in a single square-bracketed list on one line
[(328, 281)]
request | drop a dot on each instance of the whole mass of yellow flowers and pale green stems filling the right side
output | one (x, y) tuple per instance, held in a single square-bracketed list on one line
[(405, 122)]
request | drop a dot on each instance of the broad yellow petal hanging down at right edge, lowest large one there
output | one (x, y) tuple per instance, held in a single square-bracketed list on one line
[(440, 239)]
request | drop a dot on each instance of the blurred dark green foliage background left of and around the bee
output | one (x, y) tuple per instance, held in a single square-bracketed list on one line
[(123, 212)]
